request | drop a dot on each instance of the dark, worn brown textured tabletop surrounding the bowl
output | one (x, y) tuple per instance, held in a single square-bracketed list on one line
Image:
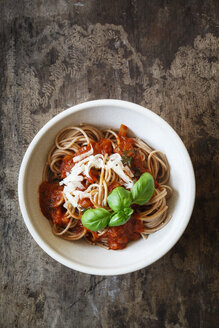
[(160, 54)]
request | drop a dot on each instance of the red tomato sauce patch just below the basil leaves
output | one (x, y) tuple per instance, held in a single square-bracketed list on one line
[(118, 237)]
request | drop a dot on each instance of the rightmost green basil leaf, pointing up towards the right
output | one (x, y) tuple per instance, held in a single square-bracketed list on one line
[(143, 189)]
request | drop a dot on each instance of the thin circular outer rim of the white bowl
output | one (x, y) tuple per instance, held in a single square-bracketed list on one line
[(49, 250)]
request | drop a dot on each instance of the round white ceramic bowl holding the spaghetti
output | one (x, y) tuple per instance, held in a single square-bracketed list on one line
[(93, 259)]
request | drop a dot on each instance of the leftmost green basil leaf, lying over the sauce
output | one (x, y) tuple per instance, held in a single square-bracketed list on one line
[(96, 219)]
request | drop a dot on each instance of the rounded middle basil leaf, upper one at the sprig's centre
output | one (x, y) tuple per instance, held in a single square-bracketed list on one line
[(119, 198)]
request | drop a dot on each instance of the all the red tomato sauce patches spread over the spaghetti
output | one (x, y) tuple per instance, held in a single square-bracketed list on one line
[(51, 197)]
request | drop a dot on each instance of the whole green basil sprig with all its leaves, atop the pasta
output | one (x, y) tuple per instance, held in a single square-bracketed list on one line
[(120, 200)]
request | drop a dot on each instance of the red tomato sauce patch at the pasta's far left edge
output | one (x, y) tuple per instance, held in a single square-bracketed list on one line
[(51, 200)]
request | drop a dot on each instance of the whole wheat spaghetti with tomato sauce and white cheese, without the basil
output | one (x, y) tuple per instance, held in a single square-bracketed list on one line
[(84, 166)]
